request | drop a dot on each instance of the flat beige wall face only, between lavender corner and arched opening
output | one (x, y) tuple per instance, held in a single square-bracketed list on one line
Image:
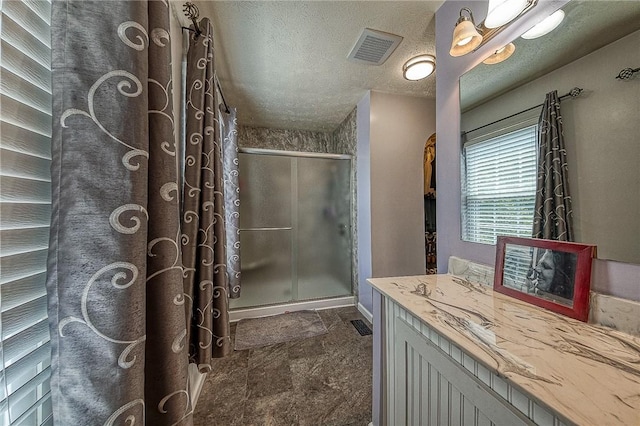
[(400, 126)]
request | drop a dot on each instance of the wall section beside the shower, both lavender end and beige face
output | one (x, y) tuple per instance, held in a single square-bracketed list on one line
[(391, 133)]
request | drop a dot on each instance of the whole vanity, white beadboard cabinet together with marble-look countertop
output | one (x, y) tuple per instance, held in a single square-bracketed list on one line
[(445, 358)]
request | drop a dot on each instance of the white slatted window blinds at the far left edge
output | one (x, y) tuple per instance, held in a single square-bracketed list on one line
[(25, 210)]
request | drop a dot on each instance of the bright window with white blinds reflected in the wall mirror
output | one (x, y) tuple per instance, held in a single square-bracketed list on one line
[(499, 184)]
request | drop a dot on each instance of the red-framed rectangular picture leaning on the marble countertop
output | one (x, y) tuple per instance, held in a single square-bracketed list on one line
[(554, 275)]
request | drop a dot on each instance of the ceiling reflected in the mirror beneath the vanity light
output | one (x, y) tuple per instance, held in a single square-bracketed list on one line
[(588, 26)]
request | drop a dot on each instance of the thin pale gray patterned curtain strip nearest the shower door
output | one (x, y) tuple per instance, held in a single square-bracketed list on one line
[(230, 169)]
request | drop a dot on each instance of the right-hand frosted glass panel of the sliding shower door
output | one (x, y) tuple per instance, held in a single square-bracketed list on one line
[(323, 227)]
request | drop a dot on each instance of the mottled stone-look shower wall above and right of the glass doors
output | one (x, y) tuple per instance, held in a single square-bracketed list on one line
[(341, 141)]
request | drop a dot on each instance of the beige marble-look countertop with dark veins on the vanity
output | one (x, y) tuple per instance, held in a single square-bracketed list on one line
[(587, 373)]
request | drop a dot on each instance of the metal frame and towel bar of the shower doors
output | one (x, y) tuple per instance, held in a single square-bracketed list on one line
[(294, 211)]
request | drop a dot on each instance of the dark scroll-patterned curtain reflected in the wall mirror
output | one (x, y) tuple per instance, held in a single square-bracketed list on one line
[(553, 216)]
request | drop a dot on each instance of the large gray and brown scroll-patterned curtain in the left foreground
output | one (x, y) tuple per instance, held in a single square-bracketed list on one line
[(114, 279)]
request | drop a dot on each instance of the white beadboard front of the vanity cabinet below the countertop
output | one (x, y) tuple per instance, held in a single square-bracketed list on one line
[(435, 383)]
